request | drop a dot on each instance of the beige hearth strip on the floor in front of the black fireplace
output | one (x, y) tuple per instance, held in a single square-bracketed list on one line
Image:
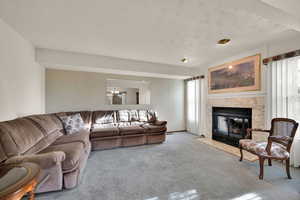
[(228, 148)]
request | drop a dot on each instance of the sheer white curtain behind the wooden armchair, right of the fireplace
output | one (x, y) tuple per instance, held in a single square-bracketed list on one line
[(283, 99)]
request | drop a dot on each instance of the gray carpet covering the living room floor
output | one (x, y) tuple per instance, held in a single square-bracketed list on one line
[(180, 169)]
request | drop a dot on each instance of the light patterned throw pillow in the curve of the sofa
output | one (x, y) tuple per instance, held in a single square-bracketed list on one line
[(72, 123)]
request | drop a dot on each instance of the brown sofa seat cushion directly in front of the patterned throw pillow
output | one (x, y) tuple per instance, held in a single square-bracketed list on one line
[(82, 136)]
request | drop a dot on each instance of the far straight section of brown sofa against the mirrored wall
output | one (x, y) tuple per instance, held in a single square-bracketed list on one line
[(111, 129)]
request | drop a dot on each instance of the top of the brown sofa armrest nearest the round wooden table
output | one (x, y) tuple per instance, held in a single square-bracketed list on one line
[(44, 160)]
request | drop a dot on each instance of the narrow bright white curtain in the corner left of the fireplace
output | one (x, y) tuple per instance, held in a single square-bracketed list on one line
[(195, 106)]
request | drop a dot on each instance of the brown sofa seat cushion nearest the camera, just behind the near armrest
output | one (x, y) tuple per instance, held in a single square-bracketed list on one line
[(74, 151)]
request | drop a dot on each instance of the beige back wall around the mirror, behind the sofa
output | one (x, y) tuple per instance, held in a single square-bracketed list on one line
[(70, 90)]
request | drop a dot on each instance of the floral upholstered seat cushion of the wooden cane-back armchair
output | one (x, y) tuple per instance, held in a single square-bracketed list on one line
[(259, 148)]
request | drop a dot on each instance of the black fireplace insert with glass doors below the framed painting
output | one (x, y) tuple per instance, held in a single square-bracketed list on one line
[(229, 125)]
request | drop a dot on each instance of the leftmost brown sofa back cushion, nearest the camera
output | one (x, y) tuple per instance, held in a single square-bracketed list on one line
[(19, 135)]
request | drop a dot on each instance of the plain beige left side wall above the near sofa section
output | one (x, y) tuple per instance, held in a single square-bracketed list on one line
[(21, 78)]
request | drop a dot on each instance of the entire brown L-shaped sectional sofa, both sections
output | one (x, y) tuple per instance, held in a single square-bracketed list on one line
[(62, 157)]
